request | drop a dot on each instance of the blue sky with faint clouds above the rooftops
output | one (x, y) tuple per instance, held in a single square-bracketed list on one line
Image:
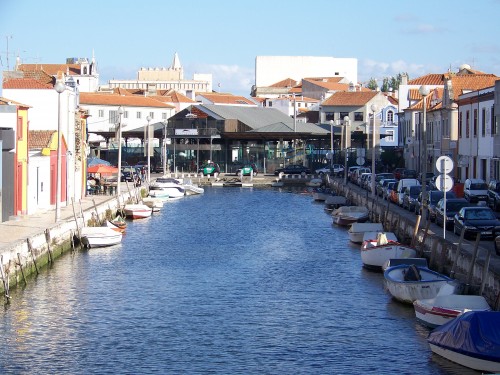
[(223, 37)]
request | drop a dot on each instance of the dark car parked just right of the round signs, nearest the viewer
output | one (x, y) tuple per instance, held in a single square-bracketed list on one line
[(477, 219)]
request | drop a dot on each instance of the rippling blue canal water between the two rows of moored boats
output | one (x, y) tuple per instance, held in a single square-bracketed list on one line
[(234, 281)]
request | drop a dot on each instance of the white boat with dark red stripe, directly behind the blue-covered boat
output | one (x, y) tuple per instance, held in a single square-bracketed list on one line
[(434, 312)]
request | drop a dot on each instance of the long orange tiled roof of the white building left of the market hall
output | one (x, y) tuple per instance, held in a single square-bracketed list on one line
[(117, 100)]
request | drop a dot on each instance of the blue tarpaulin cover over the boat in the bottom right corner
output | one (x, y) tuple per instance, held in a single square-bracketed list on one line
[(475, 334)]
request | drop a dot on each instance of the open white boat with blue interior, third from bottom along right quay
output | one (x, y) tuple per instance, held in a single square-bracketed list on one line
[(408, 283)]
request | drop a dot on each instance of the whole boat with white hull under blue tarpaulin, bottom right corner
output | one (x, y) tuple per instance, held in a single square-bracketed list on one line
[(471, 340)]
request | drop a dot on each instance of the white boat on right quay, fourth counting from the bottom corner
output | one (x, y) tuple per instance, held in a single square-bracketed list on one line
[(379, 247)]
